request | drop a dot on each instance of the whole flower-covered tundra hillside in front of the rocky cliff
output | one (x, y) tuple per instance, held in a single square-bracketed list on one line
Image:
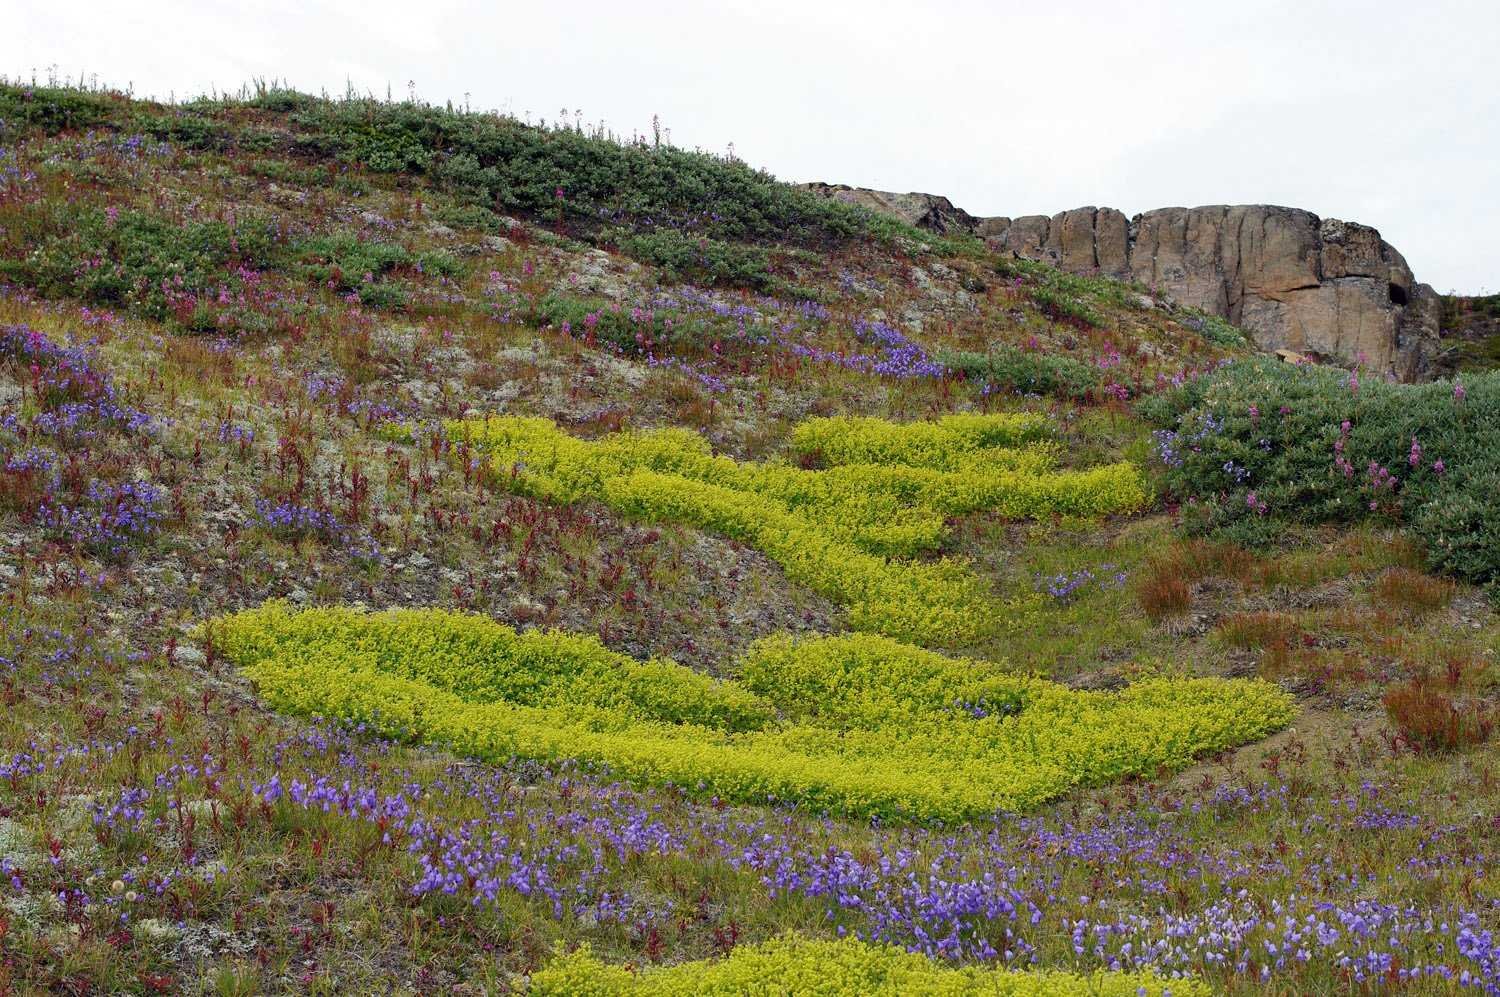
[(446, 554)]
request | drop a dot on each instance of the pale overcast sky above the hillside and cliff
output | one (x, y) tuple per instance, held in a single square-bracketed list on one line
[(1379, 113)]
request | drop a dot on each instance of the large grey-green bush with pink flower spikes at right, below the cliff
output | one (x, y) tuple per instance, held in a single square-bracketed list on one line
[(1267, 442)]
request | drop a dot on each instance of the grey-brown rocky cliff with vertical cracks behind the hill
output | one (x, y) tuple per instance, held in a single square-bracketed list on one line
[(1291, 280)]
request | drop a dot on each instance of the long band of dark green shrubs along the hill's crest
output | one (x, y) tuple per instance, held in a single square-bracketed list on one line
[(667, 199)]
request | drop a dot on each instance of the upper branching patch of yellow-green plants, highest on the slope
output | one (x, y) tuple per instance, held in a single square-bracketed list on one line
[(842, 531)]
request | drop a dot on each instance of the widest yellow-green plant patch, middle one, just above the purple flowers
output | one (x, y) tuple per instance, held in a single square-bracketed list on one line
[(854, 725)]
